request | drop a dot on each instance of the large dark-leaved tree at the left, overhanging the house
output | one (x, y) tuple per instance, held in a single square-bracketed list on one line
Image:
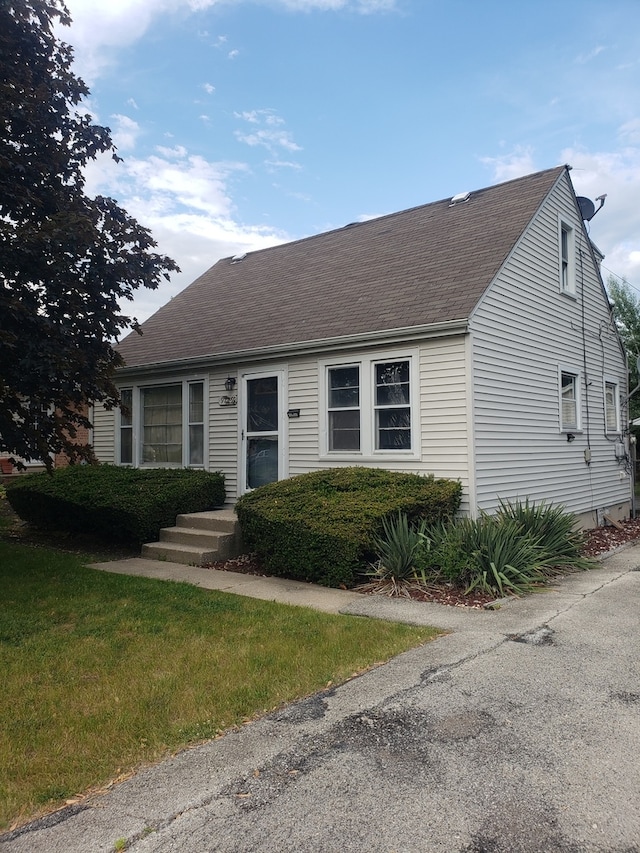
[(65, 259)]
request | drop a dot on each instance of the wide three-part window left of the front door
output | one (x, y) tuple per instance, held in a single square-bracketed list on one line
[(163, 425)]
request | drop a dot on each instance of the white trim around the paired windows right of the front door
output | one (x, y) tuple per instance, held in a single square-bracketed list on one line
[(368, 452)]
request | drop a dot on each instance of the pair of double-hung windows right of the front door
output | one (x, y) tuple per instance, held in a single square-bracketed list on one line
[(369, 407)]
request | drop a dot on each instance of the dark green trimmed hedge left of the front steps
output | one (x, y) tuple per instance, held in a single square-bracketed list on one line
[(125, 504)]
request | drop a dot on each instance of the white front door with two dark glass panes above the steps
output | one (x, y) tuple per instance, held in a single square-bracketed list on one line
[(262, 438)]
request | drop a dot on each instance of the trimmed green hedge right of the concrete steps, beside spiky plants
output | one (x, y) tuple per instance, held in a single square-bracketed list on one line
[(320, 527)]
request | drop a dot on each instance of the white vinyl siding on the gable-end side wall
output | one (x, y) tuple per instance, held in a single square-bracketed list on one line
[(523, 333)]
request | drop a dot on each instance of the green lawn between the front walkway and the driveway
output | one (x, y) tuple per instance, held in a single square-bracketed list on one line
[(102, 672)]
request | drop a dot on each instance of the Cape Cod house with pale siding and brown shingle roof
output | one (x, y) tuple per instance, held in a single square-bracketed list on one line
[(470, 338)]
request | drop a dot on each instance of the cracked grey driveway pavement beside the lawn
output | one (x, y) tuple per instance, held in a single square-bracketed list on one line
[(517, 732)]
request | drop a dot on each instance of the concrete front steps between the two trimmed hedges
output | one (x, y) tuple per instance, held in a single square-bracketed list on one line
[(198, 538)]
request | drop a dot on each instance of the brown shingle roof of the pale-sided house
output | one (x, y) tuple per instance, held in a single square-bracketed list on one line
[(425, 266)]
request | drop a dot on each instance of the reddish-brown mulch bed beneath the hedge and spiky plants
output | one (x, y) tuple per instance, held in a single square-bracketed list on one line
[(598, 541)]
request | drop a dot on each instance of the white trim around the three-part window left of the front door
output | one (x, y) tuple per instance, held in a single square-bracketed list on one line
[(136, 421)]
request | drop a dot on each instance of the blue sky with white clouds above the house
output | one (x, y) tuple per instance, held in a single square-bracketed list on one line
[(244, 123)]
